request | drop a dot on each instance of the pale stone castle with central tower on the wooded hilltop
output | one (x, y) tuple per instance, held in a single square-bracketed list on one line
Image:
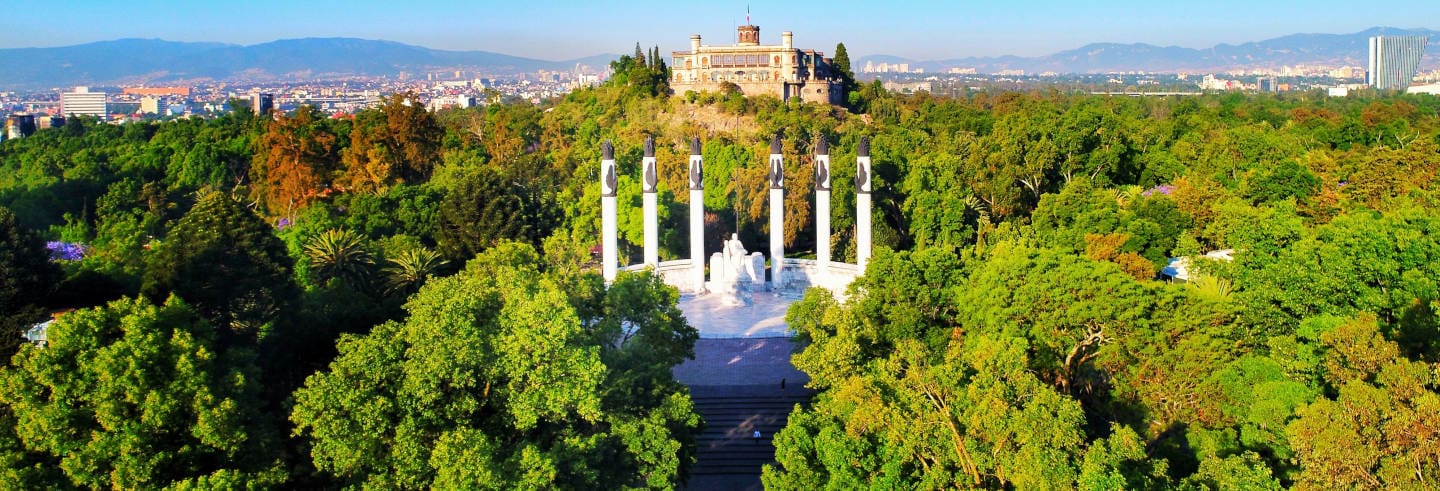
[(777, 70)]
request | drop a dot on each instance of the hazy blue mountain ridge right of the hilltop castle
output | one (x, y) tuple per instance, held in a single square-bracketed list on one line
[(1098, 58)]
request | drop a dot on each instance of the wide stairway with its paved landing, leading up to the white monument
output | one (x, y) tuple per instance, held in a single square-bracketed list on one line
[(737, 388)]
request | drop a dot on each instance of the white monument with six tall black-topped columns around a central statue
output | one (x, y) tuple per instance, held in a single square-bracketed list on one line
[(739, 297)]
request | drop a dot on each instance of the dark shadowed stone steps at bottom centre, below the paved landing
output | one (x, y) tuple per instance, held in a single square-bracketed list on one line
[(728, 456)]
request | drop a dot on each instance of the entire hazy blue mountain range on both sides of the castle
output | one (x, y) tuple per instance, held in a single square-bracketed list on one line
[(155, 61)]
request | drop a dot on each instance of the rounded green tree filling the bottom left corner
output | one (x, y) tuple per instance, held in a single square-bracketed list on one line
[(136, 395)]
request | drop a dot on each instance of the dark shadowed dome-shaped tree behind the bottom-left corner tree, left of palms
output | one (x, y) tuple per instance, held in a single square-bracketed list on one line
[(227, 263)]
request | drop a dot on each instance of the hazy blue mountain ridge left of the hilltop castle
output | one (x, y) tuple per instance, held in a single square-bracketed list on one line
[(155, 61)]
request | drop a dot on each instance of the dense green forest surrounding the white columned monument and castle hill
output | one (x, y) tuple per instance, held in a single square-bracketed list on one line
[(408, 300)]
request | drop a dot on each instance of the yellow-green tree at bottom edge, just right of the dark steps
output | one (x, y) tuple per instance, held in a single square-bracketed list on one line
[(976, 420)]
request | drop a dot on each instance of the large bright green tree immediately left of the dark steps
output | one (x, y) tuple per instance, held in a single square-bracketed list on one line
[(490, 384)]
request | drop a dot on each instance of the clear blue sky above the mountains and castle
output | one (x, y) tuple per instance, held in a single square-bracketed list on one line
[(932, 30)]
